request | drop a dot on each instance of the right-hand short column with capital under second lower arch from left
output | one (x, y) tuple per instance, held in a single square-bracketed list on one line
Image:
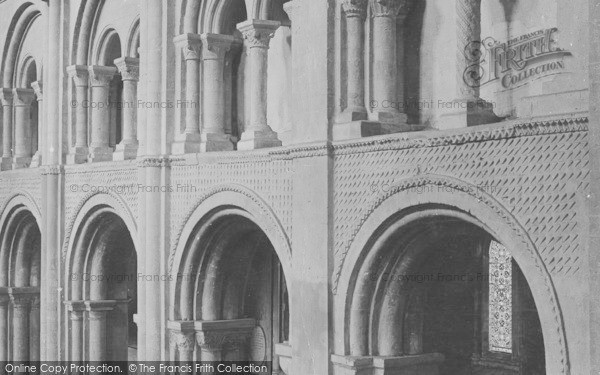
[(97, 316)]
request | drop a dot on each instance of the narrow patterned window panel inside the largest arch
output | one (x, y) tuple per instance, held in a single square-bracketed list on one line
[(500, 299)]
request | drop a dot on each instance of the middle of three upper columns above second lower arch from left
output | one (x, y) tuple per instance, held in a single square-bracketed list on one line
[(100, 77)]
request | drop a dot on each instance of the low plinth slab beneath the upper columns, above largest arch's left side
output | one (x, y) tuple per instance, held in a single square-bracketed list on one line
[(360, 129)]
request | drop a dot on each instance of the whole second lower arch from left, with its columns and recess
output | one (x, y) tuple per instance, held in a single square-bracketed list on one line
[(101, 282)]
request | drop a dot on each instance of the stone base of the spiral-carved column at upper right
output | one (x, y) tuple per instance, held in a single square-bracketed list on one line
[(466, 113)]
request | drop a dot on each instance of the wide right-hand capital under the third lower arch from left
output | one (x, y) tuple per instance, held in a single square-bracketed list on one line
[(221, 334)]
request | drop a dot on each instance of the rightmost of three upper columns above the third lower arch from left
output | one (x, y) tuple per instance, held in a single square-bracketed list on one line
[(257, 34)]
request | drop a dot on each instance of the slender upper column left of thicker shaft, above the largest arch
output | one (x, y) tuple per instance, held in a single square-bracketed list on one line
[(355, 12)]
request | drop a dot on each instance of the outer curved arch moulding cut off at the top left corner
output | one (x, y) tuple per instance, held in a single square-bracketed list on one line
[(22, 20)]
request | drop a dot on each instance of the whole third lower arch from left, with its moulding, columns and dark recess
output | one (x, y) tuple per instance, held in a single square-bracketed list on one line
[(231, 268)]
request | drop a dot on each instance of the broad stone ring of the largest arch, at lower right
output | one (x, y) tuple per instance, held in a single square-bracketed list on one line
[(465, 202)]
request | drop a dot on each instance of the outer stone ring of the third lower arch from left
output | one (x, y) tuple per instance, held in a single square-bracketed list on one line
[(246, 203)]
